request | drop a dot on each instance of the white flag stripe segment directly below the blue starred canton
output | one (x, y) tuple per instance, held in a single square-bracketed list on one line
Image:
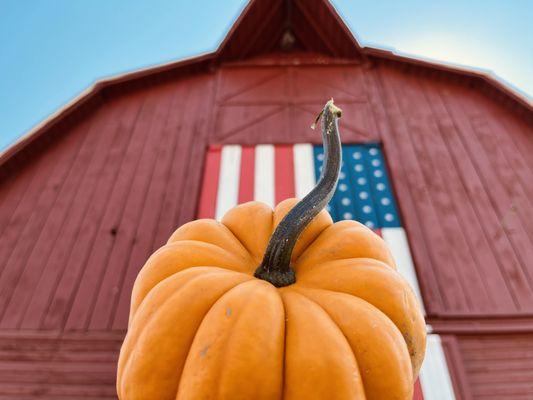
[(396, 239)]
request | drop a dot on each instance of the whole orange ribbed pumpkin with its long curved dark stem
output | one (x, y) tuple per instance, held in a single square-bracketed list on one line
[(272, 304)]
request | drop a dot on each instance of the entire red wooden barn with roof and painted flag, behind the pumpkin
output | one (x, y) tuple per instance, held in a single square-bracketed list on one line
[(91, 192)]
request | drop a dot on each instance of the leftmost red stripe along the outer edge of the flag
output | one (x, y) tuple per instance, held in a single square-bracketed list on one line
[(208, 196)]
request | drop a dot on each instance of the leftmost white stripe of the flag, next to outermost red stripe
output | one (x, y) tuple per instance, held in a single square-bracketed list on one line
[(228, 182)]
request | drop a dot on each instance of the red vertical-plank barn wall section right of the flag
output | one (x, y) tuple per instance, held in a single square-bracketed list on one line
[(461, 169)]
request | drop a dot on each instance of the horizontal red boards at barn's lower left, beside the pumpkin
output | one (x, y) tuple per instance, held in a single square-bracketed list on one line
[(52, 366)]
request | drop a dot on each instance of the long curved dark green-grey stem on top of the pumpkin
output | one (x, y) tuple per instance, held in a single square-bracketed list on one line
[(275, 267)]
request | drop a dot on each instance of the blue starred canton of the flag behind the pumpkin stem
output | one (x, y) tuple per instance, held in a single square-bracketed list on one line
[(364, 191)]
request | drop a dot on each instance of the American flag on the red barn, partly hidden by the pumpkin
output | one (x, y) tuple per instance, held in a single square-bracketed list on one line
[(235, 174)]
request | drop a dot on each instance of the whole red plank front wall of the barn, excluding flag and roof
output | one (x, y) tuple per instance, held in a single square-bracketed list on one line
[(79, 220)]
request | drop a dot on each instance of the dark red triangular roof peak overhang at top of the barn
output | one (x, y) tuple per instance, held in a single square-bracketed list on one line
[(267, 26)]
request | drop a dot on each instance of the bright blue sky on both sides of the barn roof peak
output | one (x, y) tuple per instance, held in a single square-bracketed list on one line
[(51, 51)]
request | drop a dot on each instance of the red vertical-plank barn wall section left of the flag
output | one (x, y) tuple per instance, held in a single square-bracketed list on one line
[(97, 203)]
